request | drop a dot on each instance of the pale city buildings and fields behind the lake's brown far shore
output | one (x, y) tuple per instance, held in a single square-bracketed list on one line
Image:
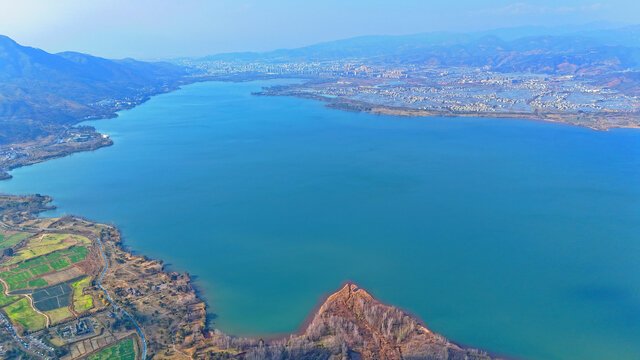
[(456, 89)]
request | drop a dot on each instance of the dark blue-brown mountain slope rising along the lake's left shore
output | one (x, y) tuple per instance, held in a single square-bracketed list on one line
[(42, 93)]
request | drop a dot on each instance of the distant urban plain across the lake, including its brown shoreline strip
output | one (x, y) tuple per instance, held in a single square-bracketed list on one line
[(579, 99)]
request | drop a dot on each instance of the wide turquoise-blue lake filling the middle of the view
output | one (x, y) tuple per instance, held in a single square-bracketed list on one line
[(518, 237)]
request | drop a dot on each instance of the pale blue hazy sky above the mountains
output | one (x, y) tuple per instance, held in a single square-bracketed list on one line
[(148, 29)]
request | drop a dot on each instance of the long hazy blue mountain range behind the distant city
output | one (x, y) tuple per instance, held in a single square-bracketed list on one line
[(531, 49)]
